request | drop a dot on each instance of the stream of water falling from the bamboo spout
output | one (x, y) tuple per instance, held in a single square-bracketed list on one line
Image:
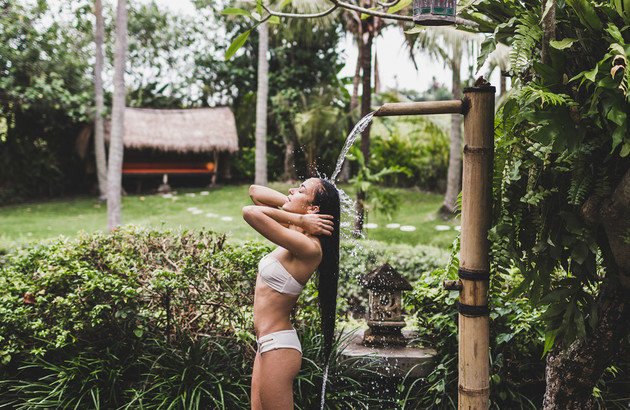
[(347, 208)]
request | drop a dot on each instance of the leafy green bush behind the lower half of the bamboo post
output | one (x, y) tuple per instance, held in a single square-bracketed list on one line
[(516, 344)]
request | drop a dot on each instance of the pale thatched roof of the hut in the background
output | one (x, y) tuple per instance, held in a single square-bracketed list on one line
[(186, 130)]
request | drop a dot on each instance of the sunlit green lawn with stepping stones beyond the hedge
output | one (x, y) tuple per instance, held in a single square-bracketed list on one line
[(209, 209)]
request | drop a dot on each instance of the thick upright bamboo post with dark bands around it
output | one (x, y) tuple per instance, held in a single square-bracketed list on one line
[(474, 267)]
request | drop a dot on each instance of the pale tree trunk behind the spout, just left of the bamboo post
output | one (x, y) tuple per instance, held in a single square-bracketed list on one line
[(454, 172)]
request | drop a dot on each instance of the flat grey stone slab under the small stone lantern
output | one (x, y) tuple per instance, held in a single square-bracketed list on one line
[(390, 361)]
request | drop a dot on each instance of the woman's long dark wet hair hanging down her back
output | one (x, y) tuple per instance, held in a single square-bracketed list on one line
[(327, 199)]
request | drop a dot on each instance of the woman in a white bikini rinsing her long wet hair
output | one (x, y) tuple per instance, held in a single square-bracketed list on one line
[(305, 226)]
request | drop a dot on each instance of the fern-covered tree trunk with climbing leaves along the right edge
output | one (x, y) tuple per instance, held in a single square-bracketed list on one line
[(561, 183)]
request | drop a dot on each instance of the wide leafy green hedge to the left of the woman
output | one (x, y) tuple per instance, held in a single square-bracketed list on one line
[(108, 320)]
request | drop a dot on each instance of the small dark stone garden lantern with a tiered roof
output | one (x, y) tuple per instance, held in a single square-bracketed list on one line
[(385, 286)]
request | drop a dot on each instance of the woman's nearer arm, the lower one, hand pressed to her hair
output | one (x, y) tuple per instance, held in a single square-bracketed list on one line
[(269, 222)]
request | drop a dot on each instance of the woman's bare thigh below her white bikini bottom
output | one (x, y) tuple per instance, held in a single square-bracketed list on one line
[(274, 381)]
